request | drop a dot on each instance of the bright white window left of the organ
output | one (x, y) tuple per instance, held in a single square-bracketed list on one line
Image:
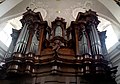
[(5, 33)]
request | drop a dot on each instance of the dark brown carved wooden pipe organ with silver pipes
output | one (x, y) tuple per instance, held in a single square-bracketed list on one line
[(56, 55)]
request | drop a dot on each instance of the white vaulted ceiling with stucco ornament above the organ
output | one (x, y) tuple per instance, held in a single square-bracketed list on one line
[(68, 9)]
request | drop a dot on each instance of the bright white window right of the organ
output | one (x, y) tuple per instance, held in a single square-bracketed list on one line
[(105, 25)]
